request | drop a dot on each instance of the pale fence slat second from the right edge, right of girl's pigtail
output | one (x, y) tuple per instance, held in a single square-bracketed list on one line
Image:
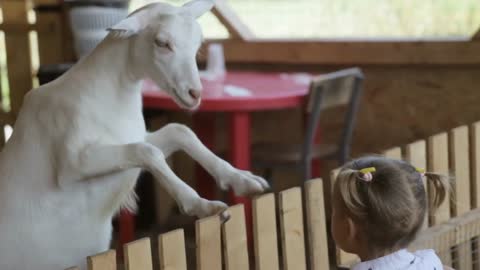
[(459, 164)]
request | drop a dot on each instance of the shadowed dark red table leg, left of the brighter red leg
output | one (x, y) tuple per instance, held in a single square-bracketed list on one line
[(204, 127)]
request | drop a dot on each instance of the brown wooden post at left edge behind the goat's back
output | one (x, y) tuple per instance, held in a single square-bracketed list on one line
[(18, 52)]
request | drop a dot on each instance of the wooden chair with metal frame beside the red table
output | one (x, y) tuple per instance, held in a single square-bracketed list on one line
[(341, 88)]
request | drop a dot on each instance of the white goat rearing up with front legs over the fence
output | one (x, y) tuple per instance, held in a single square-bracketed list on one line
[(80, 141)]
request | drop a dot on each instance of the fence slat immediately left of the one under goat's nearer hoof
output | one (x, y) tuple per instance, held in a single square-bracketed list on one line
[(171, 250)]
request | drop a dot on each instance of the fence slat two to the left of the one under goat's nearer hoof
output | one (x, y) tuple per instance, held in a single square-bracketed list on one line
[(138, 255)]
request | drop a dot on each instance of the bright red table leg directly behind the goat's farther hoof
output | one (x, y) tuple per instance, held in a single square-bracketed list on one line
[(240, 158)]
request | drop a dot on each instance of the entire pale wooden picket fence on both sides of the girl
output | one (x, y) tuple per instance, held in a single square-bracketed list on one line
[(453, 231)]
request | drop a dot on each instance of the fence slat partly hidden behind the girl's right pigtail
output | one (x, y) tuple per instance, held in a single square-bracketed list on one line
[(437, 159)]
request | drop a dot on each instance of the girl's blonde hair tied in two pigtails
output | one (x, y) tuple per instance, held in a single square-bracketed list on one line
[(391, 204)]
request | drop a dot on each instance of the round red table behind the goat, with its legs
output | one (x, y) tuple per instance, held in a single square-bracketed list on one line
[(237, 94)]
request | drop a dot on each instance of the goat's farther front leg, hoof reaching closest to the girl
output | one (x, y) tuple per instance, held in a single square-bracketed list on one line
[(175, 137)]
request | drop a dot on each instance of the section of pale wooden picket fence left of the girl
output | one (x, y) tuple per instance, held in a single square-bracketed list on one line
[(215, 241)]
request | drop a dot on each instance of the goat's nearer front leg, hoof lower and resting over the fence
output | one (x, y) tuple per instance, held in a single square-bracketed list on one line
[(96, 160)]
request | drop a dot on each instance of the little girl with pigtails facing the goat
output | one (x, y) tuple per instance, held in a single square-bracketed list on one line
[(379, 205)]
